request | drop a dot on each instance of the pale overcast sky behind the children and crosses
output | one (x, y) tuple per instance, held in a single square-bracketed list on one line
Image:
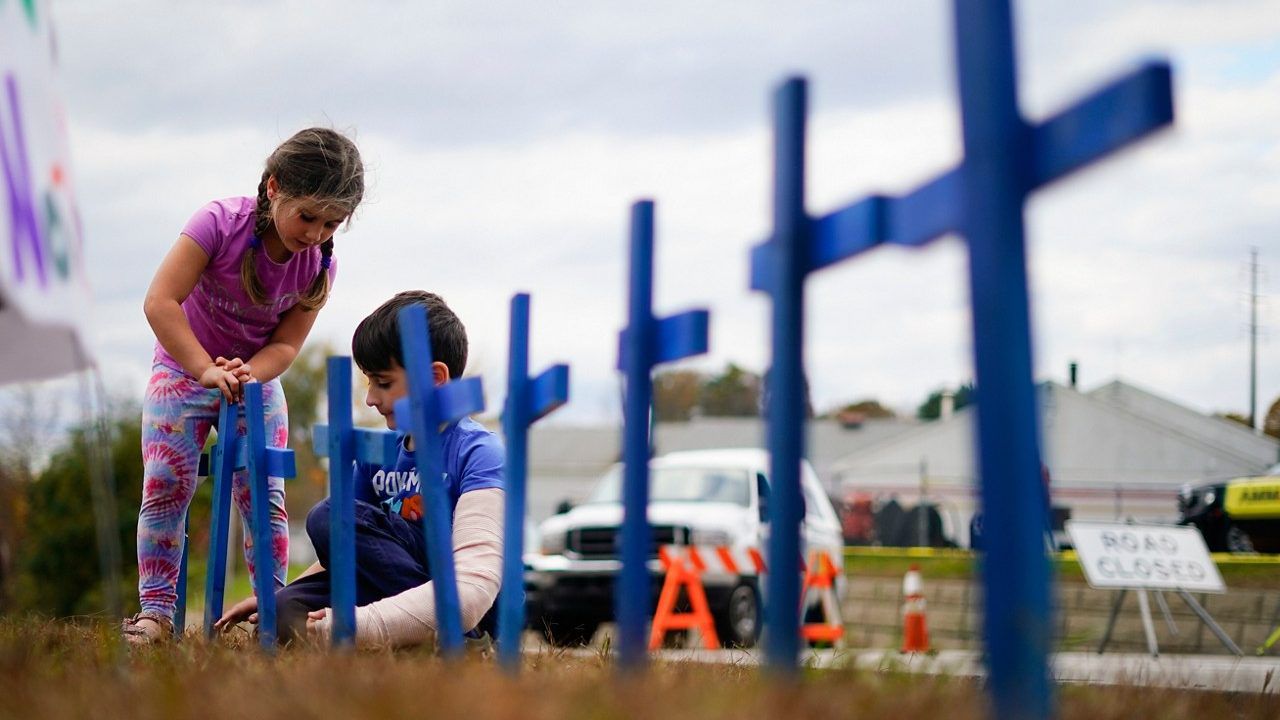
[(505, 143)]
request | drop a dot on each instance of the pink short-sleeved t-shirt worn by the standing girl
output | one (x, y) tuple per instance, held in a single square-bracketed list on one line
[(222, 316)]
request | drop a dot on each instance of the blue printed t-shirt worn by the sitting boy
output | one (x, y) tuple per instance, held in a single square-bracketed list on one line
[(473, 461)]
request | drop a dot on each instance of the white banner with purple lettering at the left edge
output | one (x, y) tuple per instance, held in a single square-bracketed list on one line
[(44, 294)]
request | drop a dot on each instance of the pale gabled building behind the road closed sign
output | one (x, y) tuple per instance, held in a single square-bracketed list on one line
[(1117, 452)]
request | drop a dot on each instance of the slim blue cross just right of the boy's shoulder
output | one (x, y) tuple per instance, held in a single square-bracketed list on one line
[(528, 402)]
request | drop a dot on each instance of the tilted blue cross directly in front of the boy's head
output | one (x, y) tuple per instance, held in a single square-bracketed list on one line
[(424, 412)]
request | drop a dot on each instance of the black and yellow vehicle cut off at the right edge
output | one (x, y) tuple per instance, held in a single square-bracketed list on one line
[(1240, 516)]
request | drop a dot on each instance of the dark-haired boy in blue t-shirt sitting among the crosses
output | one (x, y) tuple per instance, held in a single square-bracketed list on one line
[(396, 603)]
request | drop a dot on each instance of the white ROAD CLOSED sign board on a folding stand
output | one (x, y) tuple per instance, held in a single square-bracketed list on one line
[(1119, 555)]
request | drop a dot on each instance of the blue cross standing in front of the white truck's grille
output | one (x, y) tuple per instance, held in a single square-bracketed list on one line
[(646, 343)]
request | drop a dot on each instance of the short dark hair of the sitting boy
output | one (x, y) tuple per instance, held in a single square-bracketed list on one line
[(377, 341)]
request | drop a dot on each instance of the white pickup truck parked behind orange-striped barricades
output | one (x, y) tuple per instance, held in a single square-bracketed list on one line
[(708, 499)]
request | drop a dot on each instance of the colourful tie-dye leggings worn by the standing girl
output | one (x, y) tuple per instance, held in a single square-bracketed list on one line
[(177, 416)]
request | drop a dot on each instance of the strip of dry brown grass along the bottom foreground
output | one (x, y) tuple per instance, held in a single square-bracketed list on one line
[(58, 669)]
